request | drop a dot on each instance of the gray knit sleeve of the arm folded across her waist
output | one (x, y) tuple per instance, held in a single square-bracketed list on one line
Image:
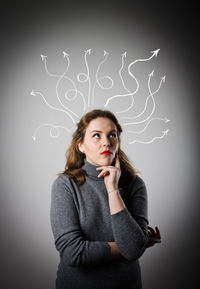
[(69, 240)]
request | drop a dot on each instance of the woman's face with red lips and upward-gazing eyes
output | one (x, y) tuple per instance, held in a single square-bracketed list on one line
[(101, 142)]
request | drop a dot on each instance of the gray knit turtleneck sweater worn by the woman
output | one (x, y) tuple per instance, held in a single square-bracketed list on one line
[(82, 227)]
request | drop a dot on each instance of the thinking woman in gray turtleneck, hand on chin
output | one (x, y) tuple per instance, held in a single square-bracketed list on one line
[(99, 210)]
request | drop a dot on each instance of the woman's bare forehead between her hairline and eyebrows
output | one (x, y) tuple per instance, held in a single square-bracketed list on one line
[(102, 124)]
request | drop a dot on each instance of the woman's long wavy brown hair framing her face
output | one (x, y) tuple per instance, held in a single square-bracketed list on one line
[(75, 158)]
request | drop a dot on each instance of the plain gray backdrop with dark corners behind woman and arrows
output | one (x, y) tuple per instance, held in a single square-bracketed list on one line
[(168, 166)]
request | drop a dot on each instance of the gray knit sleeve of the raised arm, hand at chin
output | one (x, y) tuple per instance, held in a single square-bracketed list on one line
[(130, 226)]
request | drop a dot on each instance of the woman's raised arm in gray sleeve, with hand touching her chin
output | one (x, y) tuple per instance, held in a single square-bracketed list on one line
[(130, 225)]
